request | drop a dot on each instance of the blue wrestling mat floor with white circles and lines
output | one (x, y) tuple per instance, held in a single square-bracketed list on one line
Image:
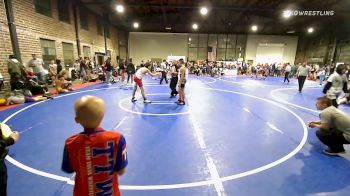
[(234, 136)]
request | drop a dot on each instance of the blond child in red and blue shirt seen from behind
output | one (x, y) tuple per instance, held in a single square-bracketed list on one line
[(97, 156)]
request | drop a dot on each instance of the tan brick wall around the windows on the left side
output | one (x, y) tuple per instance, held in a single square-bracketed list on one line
[(32, 26)]
